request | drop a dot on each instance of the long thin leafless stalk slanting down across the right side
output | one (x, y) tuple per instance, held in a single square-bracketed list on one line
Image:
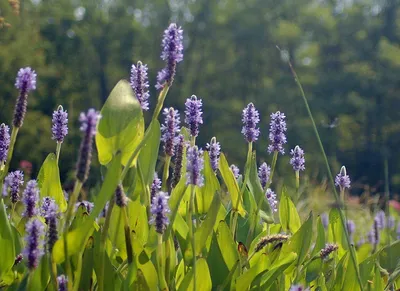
[(342, 218)]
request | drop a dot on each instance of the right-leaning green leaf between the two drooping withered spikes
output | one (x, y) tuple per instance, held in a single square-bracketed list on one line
[(300, 242)]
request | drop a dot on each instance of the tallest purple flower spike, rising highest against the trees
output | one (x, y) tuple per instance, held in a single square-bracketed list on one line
[(172, 53)]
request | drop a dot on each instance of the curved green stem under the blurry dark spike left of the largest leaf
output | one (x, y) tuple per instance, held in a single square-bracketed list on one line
[(70, 212)]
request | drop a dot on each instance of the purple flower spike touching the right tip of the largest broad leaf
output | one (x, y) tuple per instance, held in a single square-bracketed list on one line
[(140, 84)]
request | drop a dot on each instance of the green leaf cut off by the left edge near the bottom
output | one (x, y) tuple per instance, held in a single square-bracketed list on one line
[(6, 242)]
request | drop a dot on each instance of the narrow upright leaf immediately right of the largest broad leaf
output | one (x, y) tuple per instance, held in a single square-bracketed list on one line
[(148, 154)]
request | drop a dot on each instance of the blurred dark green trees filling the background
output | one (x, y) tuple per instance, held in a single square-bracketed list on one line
[(346, 53)]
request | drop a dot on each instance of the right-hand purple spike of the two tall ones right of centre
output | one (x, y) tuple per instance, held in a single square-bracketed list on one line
[(277, 131)]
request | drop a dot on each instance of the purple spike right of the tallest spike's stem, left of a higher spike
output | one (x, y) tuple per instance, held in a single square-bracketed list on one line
[(170, 129)]
